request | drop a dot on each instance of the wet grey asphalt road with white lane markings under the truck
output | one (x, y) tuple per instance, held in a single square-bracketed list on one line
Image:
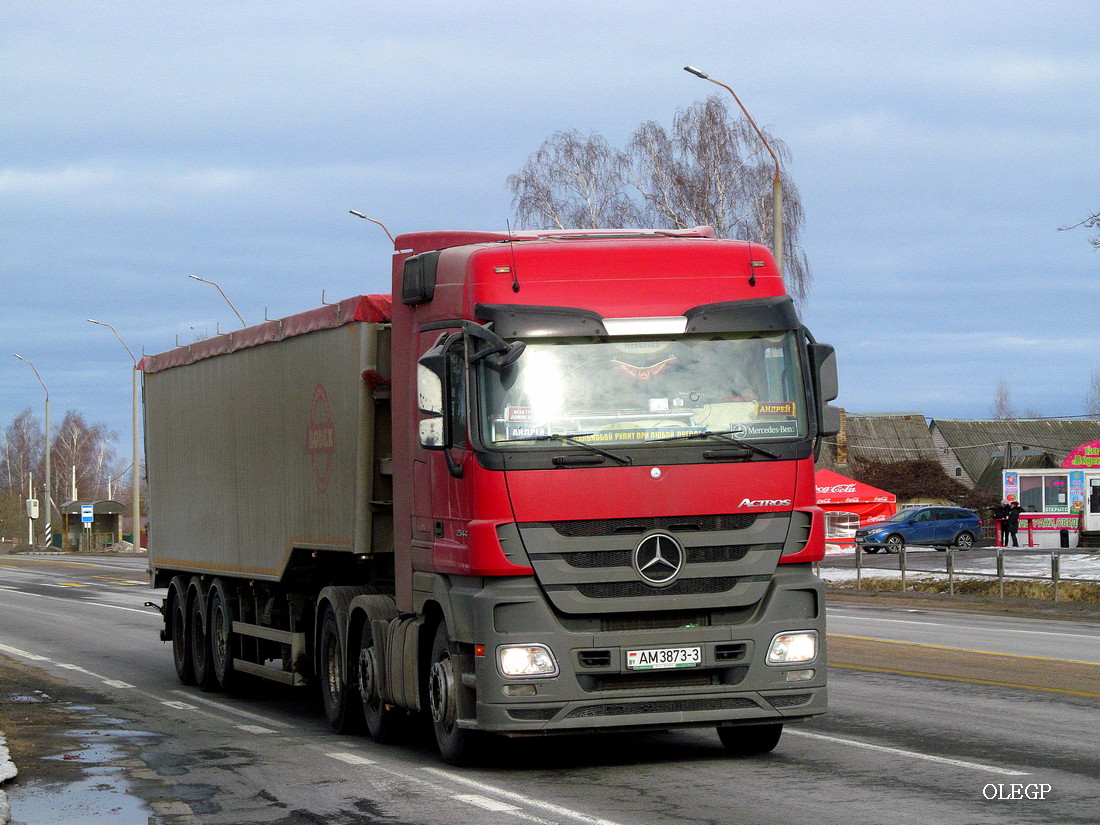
[(937, 718)]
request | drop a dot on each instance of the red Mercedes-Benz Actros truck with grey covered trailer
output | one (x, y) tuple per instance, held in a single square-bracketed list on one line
[(559, 482)]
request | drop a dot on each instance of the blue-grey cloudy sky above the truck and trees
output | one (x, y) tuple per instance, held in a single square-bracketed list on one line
[(938, 148)]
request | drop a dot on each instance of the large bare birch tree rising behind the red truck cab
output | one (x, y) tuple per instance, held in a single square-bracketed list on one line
[(710, 170)]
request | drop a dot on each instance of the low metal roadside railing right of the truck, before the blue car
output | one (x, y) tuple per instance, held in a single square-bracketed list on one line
[(953, 573)]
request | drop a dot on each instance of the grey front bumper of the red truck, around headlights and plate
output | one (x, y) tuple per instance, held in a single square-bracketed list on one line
[(596, 690)]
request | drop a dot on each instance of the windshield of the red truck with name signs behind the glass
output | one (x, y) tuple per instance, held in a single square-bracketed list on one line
[(634, 391)]
